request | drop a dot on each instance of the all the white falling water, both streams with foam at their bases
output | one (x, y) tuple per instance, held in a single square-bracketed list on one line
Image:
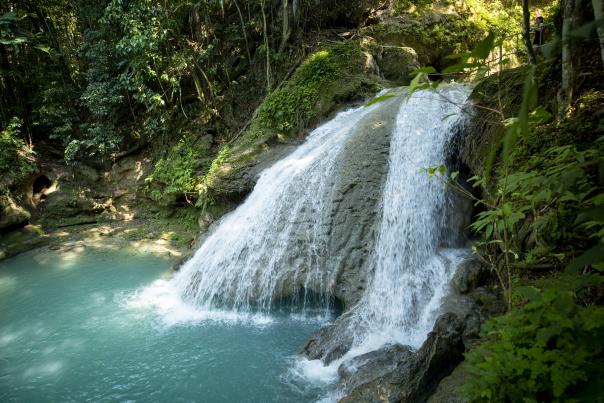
[(275, 243)]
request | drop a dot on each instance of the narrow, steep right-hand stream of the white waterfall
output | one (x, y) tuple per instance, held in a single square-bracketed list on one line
[(413, 258)]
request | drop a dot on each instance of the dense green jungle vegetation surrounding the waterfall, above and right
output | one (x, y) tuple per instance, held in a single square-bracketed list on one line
[(204, 86)]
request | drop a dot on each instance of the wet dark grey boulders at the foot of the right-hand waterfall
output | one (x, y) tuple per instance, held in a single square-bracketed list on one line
[(396, 373)]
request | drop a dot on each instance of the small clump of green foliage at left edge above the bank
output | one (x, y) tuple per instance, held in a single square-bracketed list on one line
[(17, 159)]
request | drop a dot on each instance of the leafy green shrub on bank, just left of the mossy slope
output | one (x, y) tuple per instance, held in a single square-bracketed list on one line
[(176, 172)]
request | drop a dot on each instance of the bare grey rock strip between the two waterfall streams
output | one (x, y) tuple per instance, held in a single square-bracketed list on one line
[(357, 195)]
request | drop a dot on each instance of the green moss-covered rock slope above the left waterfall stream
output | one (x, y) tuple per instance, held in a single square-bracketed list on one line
[(331, 76)]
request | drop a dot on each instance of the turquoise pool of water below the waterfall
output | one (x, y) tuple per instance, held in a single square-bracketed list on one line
[(70, 332)]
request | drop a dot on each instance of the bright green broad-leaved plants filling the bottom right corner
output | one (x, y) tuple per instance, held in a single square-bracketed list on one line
[(550, 350)]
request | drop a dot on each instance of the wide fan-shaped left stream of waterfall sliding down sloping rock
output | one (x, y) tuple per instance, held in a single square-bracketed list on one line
[(274, 245)]
